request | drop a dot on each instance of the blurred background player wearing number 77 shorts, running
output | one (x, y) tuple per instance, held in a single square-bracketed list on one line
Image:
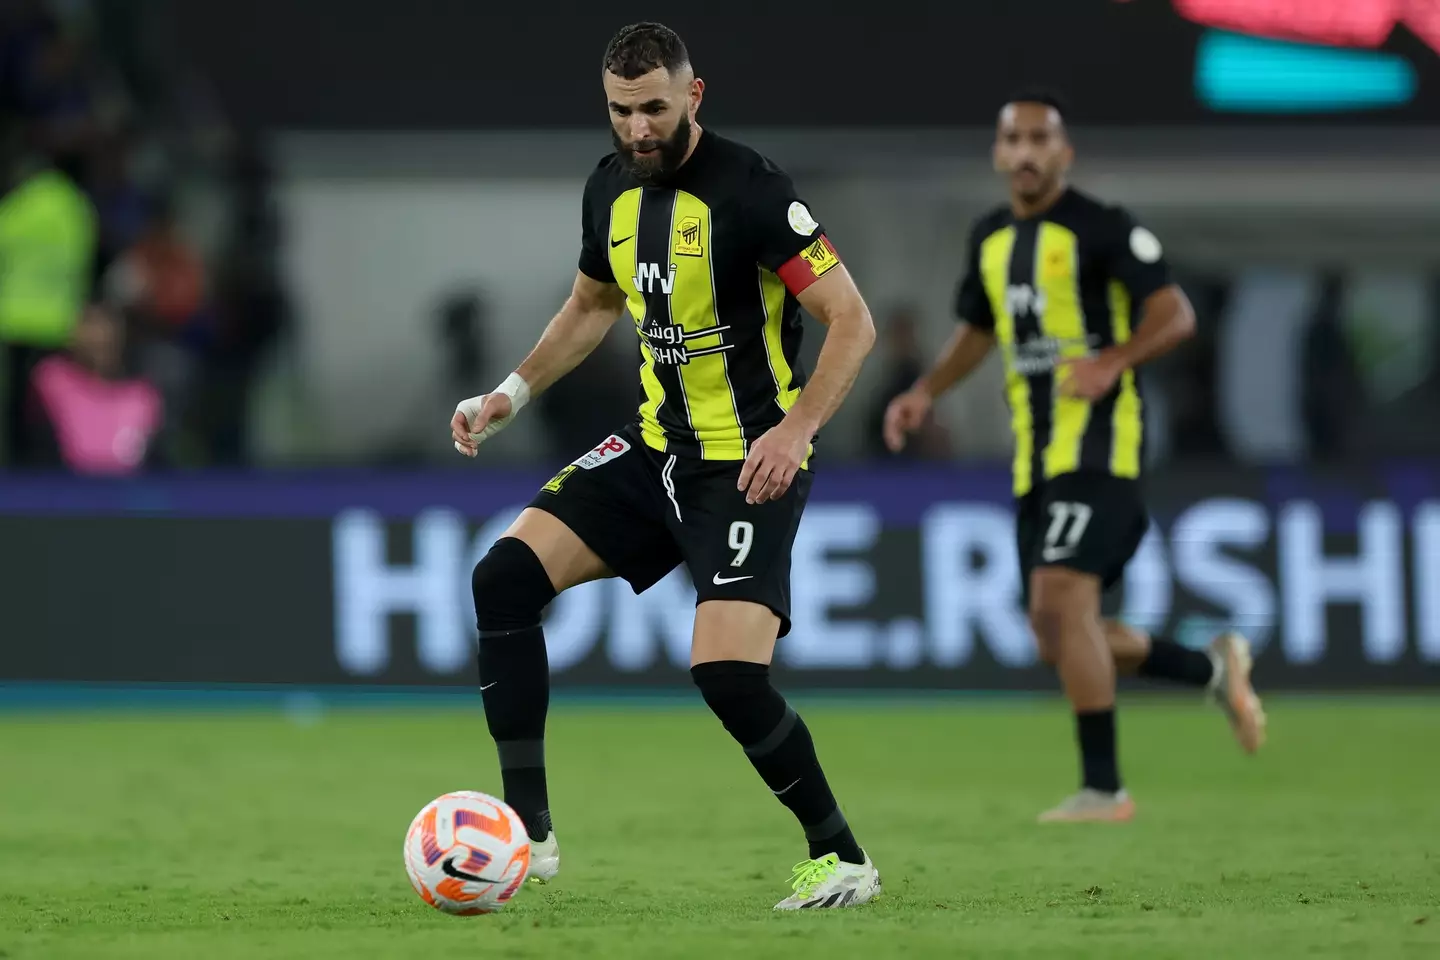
[(1078, 296)]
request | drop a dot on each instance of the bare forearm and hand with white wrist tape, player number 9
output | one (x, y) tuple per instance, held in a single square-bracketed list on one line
[(591, 310)]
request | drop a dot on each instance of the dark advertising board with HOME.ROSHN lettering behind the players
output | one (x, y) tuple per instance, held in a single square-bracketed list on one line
[(902, 579)]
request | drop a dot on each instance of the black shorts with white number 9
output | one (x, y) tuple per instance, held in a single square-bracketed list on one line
[(644, 513)]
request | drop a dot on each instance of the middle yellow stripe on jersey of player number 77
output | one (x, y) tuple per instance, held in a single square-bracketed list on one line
[(1058, 279)]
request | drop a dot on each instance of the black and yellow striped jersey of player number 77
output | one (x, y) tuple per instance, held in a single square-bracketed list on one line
[(1063, 284)]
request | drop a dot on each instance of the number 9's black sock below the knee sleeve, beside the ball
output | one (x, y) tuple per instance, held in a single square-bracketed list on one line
[(515, 683)]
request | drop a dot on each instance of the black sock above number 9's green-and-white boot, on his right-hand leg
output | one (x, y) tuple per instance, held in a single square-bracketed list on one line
[(781, 751)]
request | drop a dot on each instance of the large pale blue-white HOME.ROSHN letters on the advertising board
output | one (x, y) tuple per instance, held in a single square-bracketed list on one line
[(968, 591)]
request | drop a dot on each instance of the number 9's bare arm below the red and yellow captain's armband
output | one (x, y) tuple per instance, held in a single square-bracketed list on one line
[(775, 458)]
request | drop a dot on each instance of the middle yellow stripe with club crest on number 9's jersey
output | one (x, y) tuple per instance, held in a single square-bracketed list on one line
[(705, 379)]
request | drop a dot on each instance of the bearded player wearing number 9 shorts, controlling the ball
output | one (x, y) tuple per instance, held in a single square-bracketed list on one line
[(714, 254)]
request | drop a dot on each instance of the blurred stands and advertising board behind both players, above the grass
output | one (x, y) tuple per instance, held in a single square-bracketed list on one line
[(253, 255)]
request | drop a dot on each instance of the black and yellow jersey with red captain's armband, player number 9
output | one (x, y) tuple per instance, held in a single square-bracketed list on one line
[(711, 264)]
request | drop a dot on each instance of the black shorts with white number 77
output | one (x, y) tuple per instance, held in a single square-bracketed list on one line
[(1086, 522)]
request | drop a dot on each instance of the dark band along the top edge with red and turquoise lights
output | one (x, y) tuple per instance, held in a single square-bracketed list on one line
[(453, 64)]
